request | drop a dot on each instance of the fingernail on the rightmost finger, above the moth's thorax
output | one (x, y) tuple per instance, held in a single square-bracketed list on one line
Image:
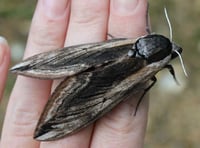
[(125, 6)]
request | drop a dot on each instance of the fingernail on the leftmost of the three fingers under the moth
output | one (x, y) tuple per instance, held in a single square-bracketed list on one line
[(55, 8)]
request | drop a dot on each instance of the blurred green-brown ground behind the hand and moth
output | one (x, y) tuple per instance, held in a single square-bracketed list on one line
[(174, 119)]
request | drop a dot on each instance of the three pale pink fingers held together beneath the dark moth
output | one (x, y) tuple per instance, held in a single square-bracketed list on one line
[(54, 25)]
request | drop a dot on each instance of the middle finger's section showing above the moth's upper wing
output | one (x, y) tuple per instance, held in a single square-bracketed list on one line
[(88, 22)]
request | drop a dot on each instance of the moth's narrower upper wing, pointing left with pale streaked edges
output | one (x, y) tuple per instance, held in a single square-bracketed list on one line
[(73, 59)]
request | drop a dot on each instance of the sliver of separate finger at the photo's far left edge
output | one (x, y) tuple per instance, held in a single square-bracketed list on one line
[(4, 63)]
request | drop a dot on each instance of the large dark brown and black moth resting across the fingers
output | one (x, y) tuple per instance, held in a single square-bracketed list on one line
[(98, 76)]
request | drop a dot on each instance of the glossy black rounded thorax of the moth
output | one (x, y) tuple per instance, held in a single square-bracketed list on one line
[(153, 48)]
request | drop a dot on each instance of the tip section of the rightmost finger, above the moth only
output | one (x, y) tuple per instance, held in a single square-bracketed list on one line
[(128, 18)]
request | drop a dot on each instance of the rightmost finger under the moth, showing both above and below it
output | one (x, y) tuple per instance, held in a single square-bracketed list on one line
[(120, 128)]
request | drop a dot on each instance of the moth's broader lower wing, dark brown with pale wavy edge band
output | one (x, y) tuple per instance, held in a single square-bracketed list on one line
[(83, 98)]
